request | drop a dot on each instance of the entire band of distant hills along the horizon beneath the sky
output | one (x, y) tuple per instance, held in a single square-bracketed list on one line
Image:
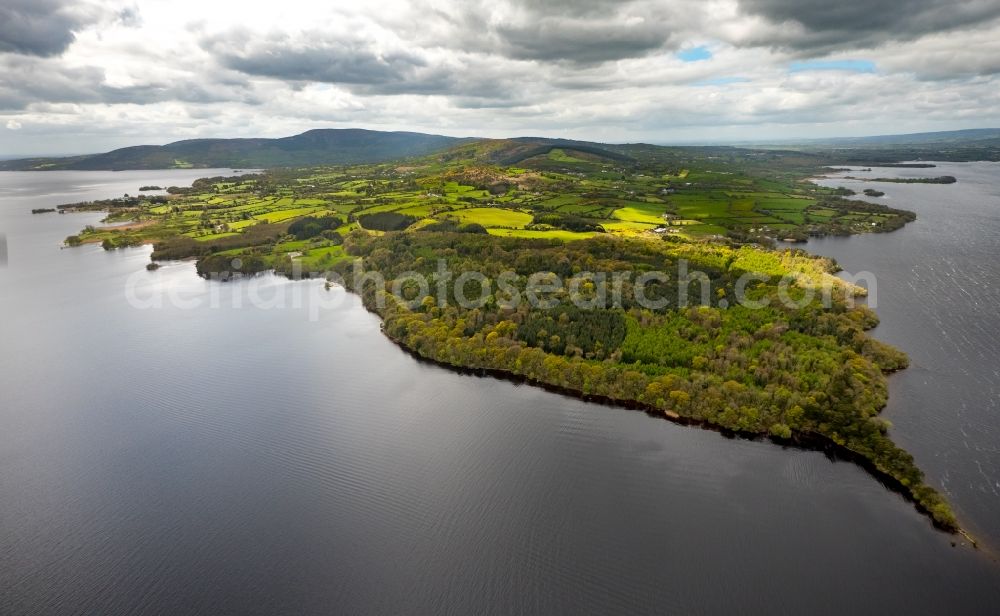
[(347, 146)]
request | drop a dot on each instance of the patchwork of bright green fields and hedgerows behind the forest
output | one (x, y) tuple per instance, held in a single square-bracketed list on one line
[(558, 193)]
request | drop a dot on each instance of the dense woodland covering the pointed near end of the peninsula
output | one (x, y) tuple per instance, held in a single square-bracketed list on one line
[(807, 375)]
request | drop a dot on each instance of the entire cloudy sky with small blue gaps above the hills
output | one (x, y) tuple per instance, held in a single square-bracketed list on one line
[(89, 75)]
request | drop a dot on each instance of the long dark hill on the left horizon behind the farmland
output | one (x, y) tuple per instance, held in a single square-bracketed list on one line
[(314, 147)]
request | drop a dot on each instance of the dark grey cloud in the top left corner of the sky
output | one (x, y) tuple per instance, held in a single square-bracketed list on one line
[(41, 27)]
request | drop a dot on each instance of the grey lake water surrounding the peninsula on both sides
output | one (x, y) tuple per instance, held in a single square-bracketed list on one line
[(221, 460)]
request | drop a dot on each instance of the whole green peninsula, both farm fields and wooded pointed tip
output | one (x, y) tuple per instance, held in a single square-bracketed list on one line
[(796, 366)]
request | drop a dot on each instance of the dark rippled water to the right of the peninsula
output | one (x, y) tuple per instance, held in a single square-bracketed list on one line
[(938, 295)]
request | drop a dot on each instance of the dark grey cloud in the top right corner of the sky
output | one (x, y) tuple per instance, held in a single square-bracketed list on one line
[(832, 25)]
